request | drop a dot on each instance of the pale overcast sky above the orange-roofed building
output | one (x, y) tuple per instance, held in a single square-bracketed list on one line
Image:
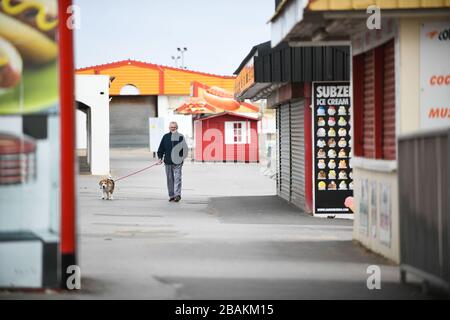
[(217, 33)]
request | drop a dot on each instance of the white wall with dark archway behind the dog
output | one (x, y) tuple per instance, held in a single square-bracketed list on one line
[(93, 91)]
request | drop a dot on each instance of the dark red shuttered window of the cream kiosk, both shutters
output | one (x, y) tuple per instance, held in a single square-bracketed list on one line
[(374, 103)]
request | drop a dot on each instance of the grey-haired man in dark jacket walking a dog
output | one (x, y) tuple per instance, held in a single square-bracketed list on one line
[(173, 149)]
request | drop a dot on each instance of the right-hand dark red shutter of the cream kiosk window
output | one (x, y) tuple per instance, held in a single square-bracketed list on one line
[(388, 144)]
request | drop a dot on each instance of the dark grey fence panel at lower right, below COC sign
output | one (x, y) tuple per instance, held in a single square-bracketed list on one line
[(423, 167)]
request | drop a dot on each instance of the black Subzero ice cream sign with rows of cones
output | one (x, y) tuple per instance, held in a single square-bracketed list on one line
[(333, 182)]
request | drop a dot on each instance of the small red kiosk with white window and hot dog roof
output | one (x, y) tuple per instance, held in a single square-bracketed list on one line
[(225, 129)]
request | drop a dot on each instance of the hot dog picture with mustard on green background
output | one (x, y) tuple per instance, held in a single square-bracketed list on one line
[(28, 56)]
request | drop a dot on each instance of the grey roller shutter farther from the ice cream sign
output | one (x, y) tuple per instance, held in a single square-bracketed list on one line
[(285, 153)]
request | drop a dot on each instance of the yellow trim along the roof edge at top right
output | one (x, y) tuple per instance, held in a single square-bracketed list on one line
[(335, 5)]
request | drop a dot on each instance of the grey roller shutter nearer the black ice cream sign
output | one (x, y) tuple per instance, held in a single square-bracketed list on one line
[(297, 155)]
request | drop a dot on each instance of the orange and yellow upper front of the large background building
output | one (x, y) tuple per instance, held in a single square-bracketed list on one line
[(153, 79)]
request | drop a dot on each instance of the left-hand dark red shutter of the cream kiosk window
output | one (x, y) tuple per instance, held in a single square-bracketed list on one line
[(368, 121)]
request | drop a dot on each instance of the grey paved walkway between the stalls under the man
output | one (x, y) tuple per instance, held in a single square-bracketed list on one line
[(229, 238)]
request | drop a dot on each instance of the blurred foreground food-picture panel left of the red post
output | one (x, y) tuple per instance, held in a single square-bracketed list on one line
[(29, 143)]
